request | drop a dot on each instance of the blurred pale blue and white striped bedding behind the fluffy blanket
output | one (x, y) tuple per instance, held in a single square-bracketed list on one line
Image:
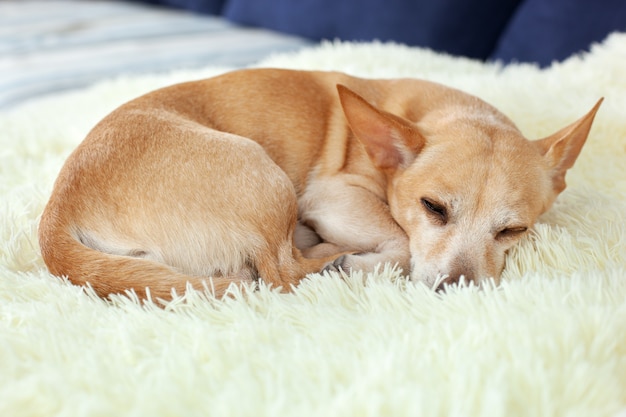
[(51, 45)]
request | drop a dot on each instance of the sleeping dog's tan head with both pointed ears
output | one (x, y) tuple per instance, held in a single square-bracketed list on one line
[(463, 182)]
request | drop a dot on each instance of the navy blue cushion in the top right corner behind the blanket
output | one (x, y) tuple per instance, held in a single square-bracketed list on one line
[(544, 31)]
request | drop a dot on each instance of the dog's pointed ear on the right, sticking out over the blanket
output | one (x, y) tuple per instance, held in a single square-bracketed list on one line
[(562, 148)]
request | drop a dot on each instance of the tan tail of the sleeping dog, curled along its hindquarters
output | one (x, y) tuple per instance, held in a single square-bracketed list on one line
[(65, 255)]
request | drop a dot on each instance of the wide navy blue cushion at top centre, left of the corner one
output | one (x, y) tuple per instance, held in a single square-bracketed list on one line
[(464, 27)]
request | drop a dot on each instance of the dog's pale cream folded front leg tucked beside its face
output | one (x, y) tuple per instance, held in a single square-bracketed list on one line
[(351, 218)]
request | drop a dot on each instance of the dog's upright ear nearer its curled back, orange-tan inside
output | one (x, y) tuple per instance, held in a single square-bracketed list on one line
[(390, 141)]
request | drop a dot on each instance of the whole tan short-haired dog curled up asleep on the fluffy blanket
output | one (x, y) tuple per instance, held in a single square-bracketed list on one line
[(275, 174)]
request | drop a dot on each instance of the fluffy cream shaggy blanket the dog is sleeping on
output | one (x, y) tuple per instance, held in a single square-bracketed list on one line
[(549, 341)]
